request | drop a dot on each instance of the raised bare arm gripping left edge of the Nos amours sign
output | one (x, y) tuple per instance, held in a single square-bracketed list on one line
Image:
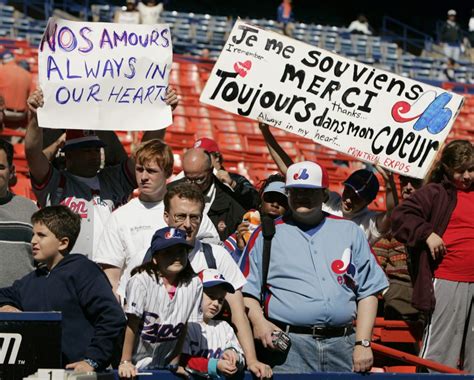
[(37, 161)]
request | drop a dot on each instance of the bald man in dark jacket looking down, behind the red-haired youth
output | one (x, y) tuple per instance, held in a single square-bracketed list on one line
[(222, 208)]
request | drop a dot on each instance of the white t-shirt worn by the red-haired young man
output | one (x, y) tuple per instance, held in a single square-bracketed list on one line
[(128, 233)]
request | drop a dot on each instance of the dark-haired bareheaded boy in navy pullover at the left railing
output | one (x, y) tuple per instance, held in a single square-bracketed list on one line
[(93, 320)]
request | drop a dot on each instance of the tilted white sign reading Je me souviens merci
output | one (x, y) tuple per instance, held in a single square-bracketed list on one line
[(371, 114)]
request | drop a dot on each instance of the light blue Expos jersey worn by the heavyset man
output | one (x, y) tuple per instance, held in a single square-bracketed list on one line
[(321, 272)]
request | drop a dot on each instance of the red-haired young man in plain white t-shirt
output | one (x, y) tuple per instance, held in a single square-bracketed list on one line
[(129, 230)]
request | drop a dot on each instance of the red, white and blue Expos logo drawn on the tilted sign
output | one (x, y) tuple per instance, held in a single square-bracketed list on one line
[(435, 117)]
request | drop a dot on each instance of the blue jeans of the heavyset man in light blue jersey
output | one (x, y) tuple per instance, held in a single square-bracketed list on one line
[(308, 354)]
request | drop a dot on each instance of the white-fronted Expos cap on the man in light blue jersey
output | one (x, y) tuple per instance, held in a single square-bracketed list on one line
[(306, 175)]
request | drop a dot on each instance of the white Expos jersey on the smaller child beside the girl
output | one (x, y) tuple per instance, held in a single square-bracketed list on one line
[(210, 340)]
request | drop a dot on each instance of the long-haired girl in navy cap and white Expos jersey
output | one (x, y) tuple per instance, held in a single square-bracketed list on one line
[(160, 297)]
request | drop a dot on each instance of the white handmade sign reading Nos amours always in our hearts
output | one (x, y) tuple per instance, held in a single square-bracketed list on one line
[(104, 76)]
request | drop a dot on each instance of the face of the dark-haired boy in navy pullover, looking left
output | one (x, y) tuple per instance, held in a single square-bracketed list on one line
[(45, 245)]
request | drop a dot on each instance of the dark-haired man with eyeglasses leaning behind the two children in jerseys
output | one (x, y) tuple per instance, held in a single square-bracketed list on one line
[(184, 206)]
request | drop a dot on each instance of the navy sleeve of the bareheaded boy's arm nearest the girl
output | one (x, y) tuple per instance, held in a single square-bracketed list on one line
[(102, 308)]
